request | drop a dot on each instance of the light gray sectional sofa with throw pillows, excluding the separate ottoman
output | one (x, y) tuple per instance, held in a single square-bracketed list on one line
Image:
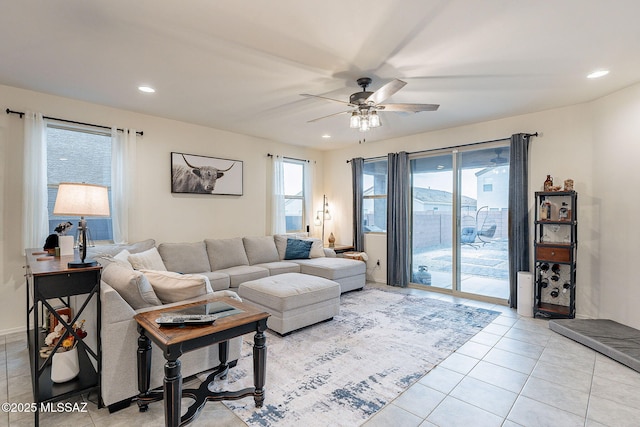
[(226, 263)]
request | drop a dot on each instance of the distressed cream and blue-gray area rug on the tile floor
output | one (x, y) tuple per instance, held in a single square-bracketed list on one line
[(342, 371)]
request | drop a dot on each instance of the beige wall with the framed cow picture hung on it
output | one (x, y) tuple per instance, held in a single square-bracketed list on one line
[(157, 213)]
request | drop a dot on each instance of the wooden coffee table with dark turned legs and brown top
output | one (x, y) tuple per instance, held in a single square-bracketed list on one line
[(176, 340)]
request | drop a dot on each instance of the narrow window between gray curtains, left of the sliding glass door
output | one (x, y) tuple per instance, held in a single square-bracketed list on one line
[(374, 203)]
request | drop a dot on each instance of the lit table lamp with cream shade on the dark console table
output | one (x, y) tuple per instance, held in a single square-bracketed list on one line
[(82, 200)]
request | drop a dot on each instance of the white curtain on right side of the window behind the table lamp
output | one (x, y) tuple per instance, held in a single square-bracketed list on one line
[(123, 159)]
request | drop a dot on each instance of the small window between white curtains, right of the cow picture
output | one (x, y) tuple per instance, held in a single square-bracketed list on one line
[(294, 195)]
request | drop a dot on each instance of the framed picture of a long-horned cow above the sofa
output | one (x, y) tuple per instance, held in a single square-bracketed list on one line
[(191, 173)]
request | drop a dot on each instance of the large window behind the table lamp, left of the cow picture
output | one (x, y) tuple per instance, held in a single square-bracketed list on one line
[(78, 155)]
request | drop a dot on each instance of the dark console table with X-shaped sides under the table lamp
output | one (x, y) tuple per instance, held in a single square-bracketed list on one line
[(50, 279)]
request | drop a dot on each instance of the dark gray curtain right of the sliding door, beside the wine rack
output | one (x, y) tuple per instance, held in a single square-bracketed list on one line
[(518, 212)]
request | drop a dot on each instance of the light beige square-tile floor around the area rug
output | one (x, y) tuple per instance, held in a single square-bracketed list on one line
[(516, 372)]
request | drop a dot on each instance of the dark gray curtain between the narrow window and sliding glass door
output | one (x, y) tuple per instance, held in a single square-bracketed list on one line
[(398, 262)]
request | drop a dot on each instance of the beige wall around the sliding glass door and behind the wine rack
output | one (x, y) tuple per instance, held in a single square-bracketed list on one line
[(597, 144)]
